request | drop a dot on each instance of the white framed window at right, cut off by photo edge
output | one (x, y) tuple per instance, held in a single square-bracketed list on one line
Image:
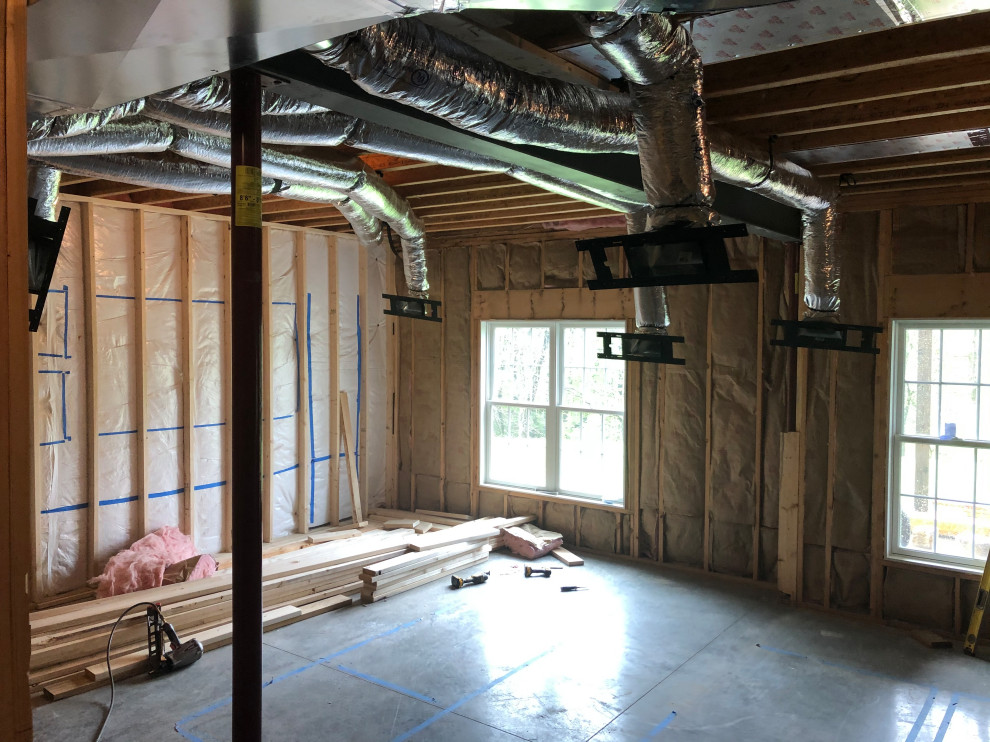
[(940, 442)]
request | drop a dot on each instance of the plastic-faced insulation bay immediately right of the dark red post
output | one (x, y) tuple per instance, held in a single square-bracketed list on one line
[(285, 397)]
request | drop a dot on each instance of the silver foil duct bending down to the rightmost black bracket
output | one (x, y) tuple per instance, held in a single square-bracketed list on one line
[(738, 162)]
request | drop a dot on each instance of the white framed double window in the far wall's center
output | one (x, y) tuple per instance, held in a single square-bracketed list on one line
[(554, 413)]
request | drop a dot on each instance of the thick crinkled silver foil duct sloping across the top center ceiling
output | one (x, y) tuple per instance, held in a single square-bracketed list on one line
[(407, 61)]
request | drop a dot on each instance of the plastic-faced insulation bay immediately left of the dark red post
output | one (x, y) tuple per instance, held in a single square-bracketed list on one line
[(208, 428)]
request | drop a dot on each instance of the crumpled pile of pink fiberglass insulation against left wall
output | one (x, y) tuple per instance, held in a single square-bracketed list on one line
[(143, 565)]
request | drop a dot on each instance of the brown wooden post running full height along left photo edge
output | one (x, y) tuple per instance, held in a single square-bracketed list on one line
[(16, 460)]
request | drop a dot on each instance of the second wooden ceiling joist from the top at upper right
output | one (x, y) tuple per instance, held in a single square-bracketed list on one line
[(850, 89)]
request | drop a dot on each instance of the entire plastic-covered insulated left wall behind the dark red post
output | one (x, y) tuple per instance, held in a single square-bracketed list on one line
[(185, 306)]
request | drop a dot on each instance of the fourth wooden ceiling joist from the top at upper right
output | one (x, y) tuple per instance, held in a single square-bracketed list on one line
[(894, 130)]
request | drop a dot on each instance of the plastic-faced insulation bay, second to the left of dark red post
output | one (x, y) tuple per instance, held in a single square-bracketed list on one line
[(164, 475)]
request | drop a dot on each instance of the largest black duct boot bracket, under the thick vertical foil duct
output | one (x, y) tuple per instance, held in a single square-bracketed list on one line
[(671, 256)]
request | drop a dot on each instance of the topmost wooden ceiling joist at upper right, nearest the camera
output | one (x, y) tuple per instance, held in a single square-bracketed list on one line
[(932, 41)]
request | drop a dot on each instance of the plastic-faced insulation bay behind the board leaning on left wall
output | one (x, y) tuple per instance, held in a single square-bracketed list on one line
[(349, 361)]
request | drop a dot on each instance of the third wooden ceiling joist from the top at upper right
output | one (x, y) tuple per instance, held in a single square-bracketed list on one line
[(902, 108)]
